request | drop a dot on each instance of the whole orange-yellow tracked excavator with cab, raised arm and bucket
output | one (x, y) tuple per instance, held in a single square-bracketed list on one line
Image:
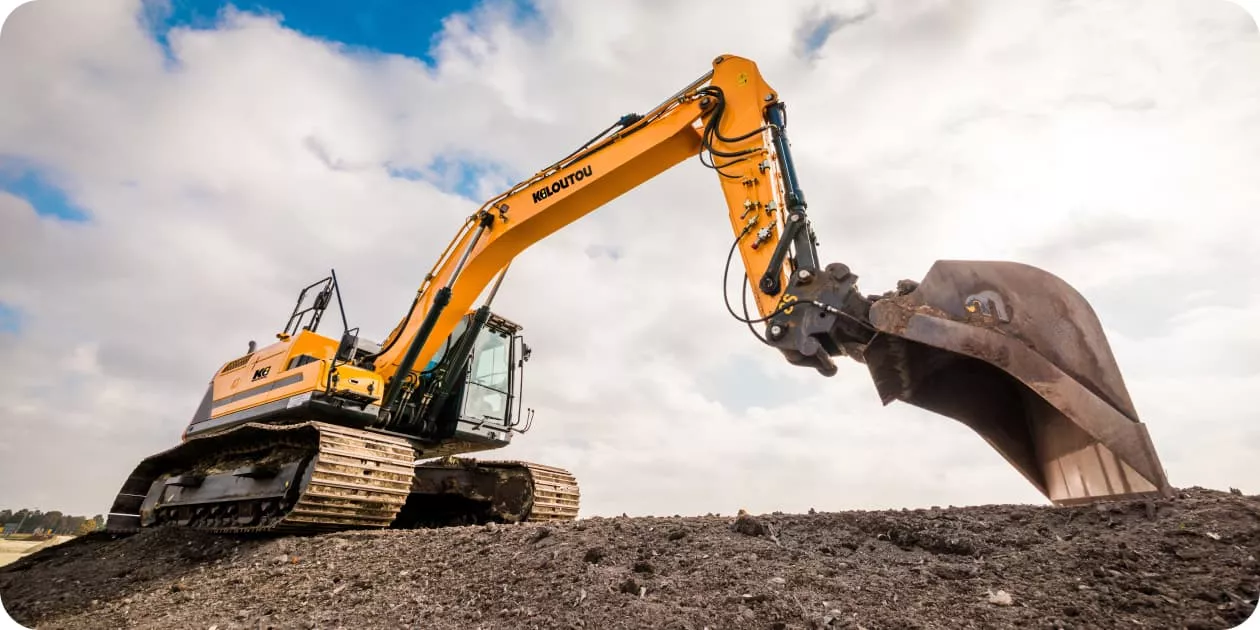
[(314, 434)]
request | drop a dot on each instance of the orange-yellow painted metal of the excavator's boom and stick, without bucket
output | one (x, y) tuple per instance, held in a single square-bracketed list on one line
[(666, 138)]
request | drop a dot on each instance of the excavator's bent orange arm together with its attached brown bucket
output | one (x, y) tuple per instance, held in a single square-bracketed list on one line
[(1010, 351)]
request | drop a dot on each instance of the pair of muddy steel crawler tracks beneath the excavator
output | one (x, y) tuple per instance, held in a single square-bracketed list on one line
[(333, 478)]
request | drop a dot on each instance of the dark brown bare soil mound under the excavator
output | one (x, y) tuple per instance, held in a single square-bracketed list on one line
[(1185, 563)]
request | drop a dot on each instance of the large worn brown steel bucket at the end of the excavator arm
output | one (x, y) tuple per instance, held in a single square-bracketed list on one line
[(1019, 356)]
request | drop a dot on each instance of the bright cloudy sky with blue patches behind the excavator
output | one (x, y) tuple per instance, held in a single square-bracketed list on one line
[(172, 175)]
